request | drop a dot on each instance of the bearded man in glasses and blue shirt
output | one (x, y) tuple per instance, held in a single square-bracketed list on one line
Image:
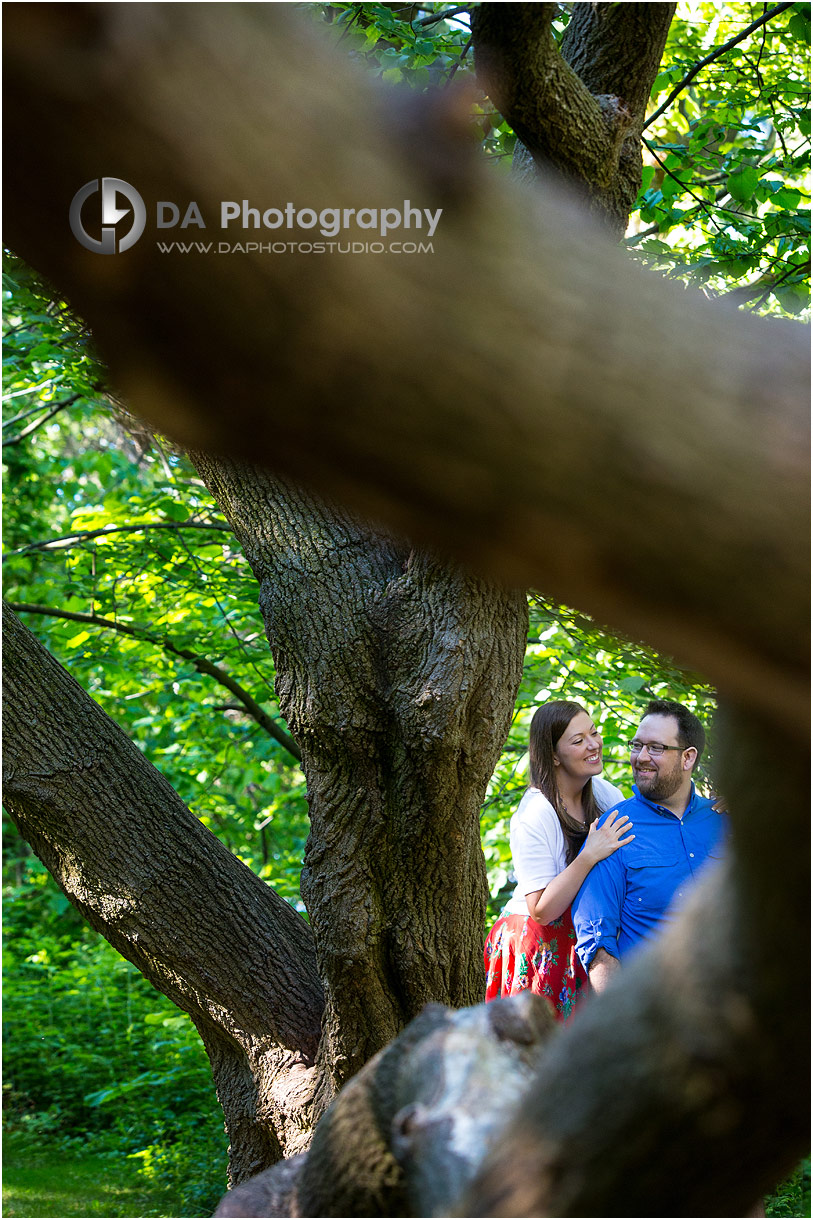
[(627, 897)]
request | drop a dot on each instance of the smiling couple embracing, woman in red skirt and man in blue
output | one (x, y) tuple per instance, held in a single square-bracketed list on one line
[(598, 874)]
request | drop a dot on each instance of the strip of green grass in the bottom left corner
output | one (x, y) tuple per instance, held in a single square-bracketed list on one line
[(62, 1185)]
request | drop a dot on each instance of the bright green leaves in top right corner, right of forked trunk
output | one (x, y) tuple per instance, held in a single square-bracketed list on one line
[(726, 197)]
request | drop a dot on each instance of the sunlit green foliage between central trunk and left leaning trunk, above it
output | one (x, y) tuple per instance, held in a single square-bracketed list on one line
[(143, 545)]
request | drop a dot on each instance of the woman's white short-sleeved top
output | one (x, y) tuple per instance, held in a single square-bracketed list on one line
[(539, 849)]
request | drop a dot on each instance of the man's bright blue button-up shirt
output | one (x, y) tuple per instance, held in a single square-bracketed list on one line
[(627, 897)]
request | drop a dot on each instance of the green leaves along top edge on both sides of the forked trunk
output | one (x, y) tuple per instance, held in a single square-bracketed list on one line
[(726, 201)]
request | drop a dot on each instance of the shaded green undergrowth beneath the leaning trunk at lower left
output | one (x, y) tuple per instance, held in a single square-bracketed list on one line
[(95, 1058)]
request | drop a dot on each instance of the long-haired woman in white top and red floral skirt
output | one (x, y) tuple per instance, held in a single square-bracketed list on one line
[(533, 944)]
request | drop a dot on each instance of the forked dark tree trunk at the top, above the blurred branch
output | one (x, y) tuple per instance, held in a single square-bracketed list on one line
[(579, 110)]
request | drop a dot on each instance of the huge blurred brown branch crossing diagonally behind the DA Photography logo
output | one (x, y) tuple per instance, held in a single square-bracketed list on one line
[(643, 415)]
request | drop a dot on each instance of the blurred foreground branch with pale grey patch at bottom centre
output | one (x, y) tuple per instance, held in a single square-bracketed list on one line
[(406, 1136)]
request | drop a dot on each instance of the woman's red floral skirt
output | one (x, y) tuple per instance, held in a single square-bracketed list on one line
[(524, 955)]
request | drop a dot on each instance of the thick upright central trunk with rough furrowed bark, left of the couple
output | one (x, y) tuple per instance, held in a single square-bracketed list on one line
[(397, 675)]
